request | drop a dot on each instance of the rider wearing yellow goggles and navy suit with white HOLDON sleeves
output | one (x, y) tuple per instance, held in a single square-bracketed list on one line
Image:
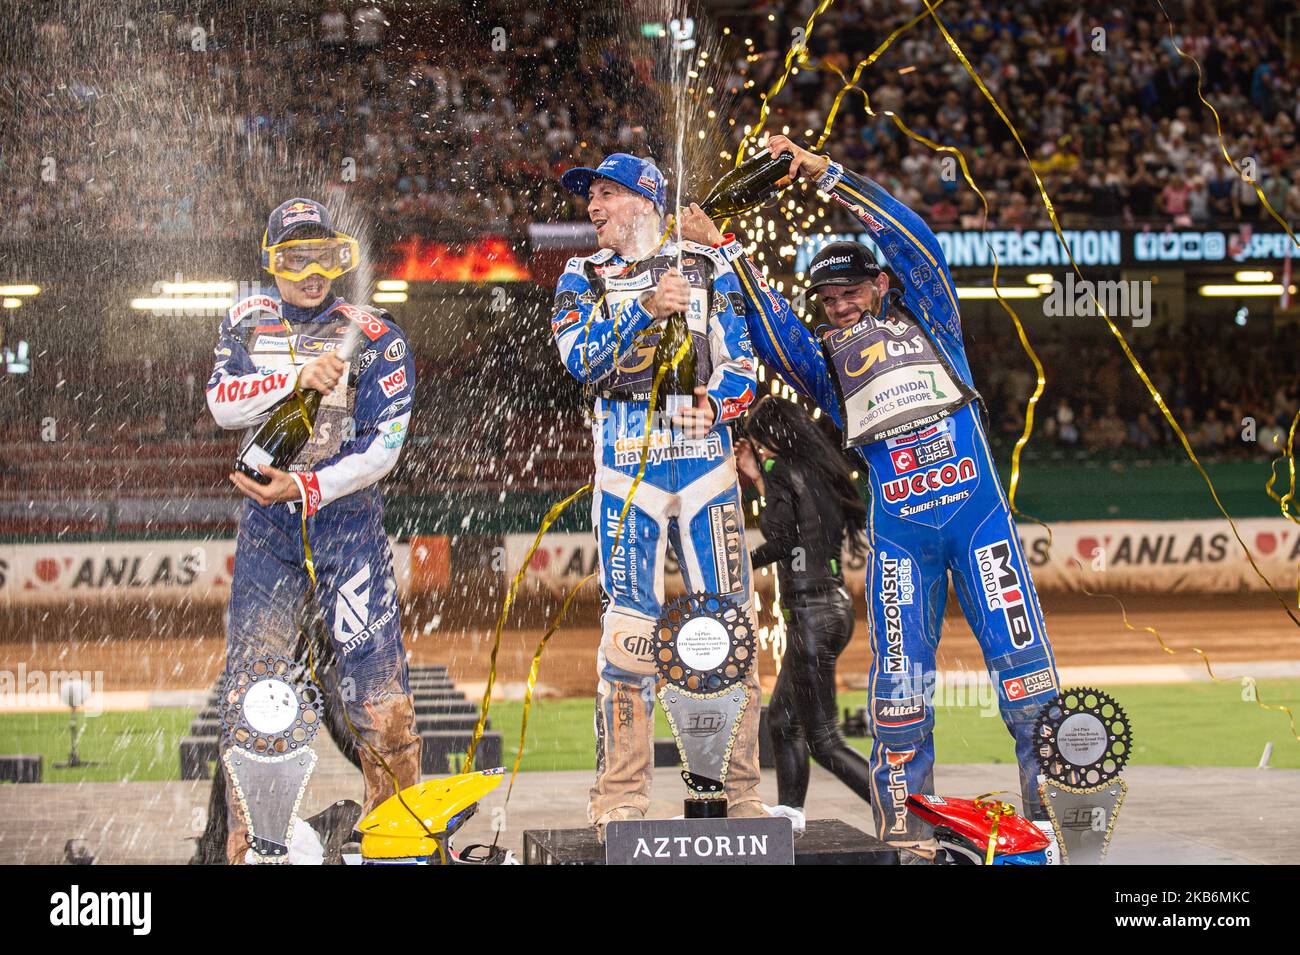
[(267, 346)]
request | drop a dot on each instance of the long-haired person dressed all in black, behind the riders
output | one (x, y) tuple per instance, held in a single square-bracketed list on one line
[(811, 506)]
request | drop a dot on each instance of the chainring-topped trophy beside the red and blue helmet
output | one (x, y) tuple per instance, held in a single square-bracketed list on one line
[(1084, 740)]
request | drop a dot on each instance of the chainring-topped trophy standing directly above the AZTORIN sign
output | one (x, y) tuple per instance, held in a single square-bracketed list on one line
[(704, 650)]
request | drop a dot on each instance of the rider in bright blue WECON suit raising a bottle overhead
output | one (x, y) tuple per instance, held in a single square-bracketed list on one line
[(892, 374)]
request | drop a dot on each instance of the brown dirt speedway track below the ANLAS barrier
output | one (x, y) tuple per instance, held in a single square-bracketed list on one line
[(1085, 632)]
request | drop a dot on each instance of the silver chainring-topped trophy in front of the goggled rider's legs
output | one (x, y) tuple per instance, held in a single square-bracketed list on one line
[(270, 715)]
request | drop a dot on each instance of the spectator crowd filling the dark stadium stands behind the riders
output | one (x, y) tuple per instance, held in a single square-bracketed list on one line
[(427, 131)]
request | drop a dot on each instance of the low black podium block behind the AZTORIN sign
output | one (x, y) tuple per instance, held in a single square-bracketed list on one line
[(825, 843)]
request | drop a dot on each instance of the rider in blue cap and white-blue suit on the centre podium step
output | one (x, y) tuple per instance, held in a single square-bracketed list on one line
[(610, 310)]
